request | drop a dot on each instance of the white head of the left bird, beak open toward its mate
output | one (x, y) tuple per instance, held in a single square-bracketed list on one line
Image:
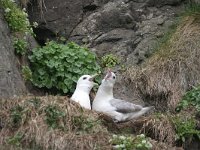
[(86, 83)]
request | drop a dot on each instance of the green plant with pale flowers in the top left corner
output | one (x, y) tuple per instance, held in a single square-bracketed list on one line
[(17, 19)]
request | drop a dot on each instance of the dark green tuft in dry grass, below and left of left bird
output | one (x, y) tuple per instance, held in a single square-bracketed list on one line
[(53, 116)]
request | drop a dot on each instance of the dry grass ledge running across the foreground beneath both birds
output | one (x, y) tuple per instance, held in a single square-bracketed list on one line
[(34, 132)]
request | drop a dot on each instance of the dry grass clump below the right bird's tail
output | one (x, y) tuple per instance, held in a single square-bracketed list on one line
[(157, 126)]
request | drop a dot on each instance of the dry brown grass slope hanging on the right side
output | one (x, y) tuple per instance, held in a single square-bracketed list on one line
[(171, 71)]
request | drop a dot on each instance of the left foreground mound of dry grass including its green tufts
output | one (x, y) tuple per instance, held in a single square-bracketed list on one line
[(50, 122)]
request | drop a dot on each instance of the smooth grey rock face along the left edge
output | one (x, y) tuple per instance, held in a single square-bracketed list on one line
[(11, 82)]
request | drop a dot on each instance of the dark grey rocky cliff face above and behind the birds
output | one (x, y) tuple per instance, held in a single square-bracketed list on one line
[(128, 28)]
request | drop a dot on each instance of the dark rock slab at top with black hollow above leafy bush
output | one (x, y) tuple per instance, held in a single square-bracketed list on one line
[(59, 18)]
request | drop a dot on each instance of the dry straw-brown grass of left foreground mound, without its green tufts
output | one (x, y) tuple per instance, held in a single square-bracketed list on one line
[(37, 133)]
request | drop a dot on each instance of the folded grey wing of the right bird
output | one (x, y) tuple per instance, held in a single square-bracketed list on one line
[(124, 106)]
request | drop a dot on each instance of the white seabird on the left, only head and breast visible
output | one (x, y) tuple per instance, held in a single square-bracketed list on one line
[(82, 91)]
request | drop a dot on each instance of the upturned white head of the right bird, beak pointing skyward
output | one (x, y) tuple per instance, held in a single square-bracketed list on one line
[(109, 79)]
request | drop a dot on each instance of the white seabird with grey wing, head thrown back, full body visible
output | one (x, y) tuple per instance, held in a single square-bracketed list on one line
[(118, 109)]
